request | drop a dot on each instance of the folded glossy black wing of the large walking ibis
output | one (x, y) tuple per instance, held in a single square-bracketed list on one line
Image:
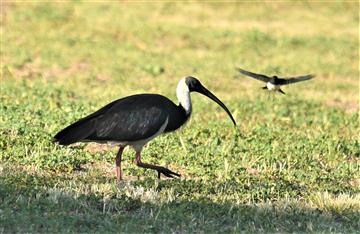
[(128, 119)]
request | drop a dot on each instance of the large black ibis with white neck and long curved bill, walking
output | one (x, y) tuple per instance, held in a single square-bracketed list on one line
[(135, 120)]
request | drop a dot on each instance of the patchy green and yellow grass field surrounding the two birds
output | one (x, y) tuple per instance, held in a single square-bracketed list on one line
[(291, 164)]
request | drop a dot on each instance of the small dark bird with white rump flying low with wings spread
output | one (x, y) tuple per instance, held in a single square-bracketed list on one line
[(274, 83)]
